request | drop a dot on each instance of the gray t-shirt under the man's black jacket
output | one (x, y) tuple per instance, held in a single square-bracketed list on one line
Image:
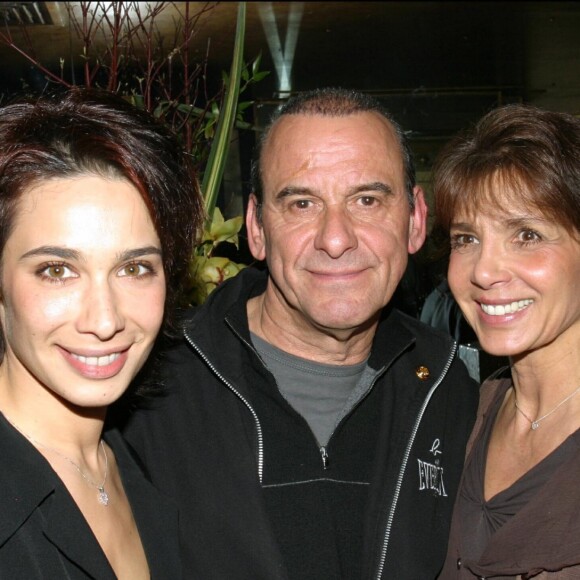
[(322, 393)]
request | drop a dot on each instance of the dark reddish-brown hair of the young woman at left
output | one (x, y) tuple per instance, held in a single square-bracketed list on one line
[(88, 131)]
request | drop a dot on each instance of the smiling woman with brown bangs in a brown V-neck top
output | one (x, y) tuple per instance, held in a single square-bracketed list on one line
[(507, 193)]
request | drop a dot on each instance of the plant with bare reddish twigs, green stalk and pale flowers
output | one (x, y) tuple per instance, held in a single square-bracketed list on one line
[(121, 50)]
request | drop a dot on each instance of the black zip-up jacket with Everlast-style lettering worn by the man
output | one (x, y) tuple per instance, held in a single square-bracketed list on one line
[(258, 502)]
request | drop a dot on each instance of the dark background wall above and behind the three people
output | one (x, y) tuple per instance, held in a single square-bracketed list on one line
[(437, 65)]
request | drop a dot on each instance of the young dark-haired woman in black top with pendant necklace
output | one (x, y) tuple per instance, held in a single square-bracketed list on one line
[(99, 211)]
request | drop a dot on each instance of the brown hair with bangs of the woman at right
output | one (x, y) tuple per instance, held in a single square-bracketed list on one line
[(533, 151)]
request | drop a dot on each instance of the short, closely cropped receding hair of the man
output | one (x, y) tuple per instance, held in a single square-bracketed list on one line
[(334, 102)]
